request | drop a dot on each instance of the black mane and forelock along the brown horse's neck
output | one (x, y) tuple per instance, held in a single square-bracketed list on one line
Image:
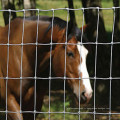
[(60, 24)]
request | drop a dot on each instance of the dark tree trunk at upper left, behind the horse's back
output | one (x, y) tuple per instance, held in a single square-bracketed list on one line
[(7, 4)]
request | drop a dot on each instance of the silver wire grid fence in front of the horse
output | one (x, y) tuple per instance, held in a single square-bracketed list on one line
[(50, 78)]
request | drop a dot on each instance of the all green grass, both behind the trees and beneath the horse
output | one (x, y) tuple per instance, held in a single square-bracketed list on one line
[(57, 98)]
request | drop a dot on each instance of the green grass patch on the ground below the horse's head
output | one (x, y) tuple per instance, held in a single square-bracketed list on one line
[(57, 105)]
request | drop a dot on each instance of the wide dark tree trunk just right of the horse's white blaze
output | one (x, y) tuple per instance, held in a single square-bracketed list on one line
[(102, 64)]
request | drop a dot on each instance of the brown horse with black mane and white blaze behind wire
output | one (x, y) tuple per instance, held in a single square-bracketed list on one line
[(74, 53)]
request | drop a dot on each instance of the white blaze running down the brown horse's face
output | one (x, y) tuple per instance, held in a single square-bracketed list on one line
[(83, 69)]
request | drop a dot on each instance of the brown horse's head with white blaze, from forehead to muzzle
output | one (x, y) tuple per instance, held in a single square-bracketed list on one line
[(75, 69)]
